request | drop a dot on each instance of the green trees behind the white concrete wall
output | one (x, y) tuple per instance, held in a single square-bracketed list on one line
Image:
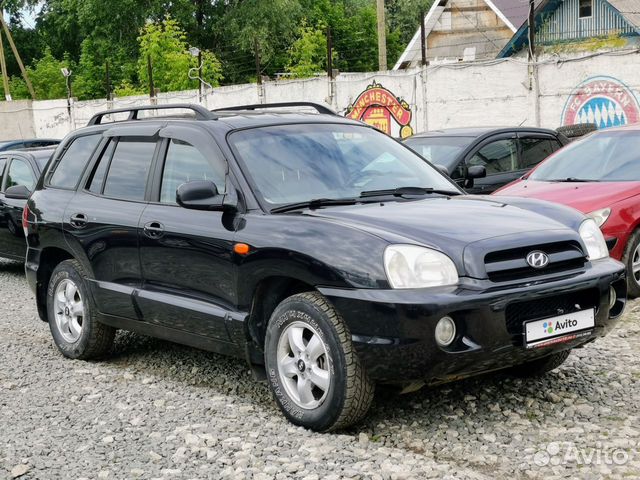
[(286, 35)]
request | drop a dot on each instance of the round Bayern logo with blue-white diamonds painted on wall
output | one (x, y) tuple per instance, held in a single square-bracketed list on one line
[(605, 101)]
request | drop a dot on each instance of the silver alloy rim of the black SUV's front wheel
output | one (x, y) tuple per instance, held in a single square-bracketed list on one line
[(304, 365)]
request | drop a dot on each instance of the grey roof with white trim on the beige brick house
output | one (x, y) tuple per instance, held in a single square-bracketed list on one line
[(513, 13)]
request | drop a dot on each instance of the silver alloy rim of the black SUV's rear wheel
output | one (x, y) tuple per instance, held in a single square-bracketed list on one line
[(68, 310)]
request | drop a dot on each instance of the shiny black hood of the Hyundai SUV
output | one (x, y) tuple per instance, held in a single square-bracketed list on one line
[(465, 227)]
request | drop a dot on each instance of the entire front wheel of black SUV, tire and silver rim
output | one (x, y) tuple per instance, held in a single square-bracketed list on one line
[(337, 397)]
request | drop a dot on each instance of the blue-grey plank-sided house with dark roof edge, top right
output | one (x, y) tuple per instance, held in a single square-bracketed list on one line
[(578, 22)]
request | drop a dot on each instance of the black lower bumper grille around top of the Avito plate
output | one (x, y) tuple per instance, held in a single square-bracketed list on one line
[(519, 312)]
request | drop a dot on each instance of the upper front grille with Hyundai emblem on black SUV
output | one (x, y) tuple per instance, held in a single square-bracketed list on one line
[(510, 265)]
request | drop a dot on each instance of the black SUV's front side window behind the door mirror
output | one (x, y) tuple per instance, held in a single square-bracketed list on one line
[(184, 163)]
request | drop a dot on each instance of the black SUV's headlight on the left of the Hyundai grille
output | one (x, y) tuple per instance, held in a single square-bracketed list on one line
[(410, 266)]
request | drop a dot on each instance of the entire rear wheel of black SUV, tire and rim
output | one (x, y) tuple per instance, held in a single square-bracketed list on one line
[(72, 315)]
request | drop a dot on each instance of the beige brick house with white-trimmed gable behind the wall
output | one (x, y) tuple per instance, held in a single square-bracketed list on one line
[(457, 30)]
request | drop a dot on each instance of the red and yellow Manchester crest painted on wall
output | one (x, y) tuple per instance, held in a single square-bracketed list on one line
[(380, 108)]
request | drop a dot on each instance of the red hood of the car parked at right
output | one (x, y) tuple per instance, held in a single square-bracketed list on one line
[(585, 197)]
